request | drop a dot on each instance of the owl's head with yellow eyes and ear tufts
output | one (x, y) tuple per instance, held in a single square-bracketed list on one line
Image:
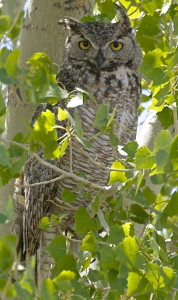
[(103, 45)]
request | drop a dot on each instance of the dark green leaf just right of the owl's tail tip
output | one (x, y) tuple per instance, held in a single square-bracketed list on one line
[(57, 247)]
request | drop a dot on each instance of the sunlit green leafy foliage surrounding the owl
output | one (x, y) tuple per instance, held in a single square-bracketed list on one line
[(132, 253)]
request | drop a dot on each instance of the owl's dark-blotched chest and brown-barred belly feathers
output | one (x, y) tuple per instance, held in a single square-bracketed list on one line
[(118, 89)]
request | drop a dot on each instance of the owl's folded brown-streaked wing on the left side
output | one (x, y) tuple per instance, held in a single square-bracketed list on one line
[(32, 202)]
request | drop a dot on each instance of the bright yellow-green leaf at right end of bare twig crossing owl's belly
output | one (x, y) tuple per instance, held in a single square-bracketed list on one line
[(116, 176)]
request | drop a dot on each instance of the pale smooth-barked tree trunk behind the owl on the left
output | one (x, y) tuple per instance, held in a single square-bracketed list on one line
[(40, 33)]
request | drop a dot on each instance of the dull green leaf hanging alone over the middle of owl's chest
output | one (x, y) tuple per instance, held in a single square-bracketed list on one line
[(101, 119)]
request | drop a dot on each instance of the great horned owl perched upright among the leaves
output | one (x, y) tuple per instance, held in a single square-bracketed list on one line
[(102, 59)]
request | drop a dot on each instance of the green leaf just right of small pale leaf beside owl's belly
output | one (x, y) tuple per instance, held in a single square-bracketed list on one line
[(143, 158)]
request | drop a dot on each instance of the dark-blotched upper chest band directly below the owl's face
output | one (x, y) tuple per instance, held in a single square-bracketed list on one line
[(106, 85)]
